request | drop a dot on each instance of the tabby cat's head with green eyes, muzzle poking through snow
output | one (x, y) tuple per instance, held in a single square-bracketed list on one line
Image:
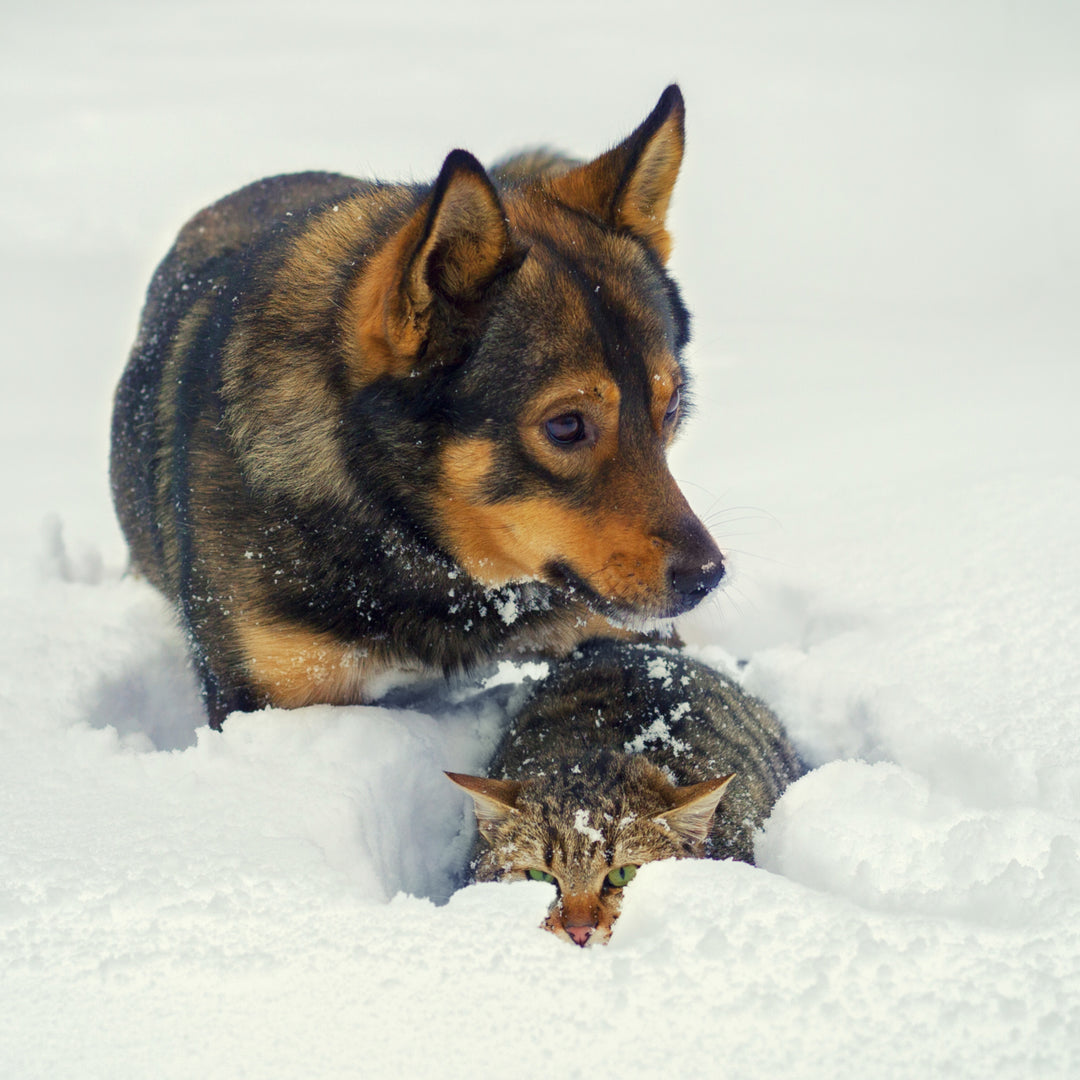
[(586, 828)]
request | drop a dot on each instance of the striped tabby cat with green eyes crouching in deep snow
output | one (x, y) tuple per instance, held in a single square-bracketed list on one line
[(620, 758)]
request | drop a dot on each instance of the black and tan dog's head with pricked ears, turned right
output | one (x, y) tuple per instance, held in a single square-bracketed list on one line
[(543, 332)]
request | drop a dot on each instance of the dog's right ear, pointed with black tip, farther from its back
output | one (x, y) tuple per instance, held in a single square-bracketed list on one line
[(630, 187)]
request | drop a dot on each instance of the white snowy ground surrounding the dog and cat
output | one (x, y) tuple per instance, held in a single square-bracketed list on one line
[(879, 232)]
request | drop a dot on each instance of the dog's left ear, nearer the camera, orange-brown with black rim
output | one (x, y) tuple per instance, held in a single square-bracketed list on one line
[(450, 253)]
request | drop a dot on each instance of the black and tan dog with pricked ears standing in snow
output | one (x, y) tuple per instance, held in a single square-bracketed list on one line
[(370, 429)]
